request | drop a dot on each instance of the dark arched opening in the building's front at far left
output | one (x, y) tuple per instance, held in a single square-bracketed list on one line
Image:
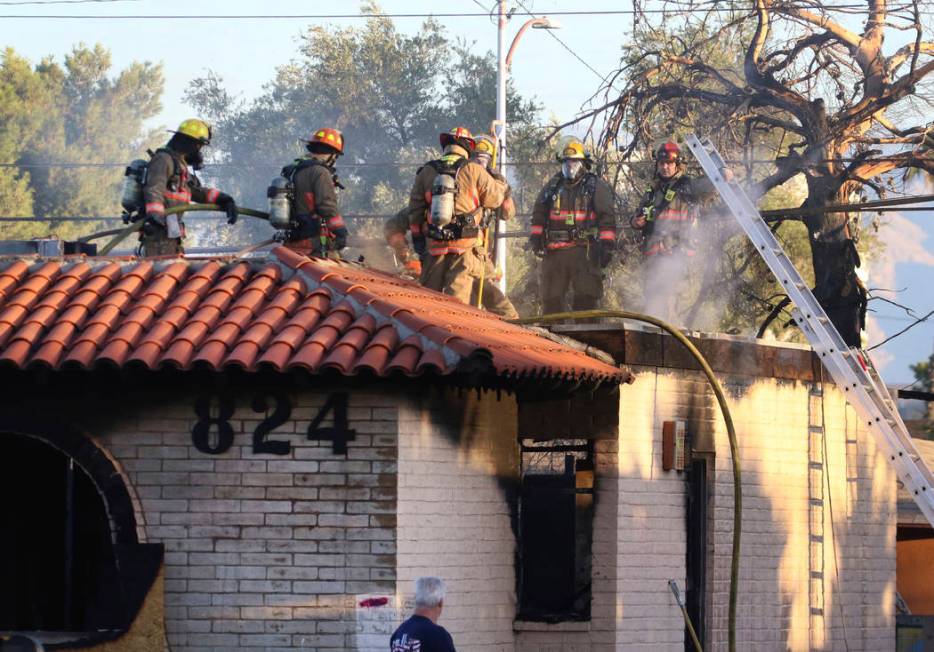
[(57, 560)]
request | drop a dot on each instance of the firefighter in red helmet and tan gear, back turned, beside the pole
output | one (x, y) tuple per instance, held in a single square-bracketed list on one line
[(446, 208)]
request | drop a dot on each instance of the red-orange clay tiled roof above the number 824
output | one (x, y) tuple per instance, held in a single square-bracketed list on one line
[(282, 313)]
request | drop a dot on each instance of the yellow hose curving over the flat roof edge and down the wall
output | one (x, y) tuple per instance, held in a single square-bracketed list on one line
[(724, 410)]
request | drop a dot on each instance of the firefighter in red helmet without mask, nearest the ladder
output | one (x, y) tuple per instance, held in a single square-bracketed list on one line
[(667, 218)]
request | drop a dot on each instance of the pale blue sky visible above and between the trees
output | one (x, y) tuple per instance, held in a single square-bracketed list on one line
[(246, 52)]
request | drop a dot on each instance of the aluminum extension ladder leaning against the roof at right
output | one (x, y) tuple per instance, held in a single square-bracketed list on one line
[(851, 369)]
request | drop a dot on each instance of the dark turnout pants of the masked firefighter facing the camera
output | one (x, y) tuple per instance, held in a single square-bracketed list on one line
[(570, 270)]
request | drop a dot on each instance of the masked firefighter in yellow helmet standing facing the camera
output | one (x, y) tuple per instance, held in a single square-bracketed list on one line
[(574, 232)]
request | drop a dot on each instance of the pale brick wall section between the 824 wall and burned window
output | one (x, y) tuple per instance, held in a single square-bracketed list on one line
[(458, 459)]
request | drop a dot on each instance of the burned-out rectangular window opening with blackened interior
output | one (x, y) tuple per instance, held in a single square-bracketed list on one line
[(555, 530)]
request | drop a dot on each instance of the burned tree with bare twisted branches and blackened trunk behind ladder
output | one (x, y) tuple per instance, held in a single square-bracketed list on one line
[(803, 89)]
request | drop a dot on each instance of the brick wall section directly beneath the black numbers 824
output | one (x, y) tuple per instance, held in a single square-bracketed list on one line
[(265, 551)]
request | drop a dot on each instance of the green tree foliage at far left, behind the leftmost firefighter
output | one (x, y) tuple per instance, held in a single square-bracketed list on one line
[(71, 113)]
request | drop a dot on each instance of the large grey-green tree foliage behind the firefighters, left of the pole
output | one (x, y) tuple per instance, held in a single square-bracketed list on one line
[(391, 94)]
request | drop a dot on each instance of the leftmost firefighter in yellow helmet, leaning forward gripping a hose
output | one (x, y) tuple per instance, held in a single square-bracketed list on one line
[(169, 183)]
